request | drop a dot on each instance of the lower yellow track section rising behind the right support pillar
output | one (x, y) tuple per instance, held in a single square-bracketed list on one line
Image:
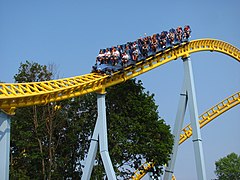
[(204, 119)]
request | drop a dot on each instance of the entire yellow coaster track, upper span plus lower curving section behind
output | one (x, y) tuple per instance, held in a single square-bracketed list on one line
[(14, 95)]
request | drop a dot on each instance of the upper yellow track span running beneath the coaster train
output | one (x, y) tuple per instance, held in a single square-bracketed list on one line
[(27, 94)]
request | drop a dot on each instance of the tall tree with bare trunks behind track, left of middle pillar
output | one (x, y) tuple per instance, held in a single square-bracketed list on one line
[(49, 141)]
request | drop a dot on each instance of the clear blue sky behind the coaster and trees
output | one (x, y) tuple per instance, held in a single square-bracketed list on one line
[(70, 33)]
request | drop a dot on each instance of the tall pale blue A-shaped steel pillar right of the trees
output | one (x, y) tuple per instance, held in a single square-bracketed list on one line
[(188, 96)]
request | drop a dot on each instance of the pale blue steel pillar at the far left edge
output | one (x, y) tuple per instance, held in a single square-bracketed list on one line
[(4, 145)]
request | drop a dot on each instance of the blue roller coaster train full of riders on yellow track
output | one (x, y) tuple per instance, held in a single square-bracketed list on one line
[(166, 40)]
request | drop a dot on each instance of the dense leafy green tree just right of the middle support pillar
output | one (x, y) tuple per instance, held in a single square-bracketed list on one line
[(136, 132)]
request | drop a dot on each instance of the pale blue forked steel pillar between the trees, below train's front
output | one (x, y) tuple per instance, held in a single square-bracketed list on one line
[(99, 136)]
